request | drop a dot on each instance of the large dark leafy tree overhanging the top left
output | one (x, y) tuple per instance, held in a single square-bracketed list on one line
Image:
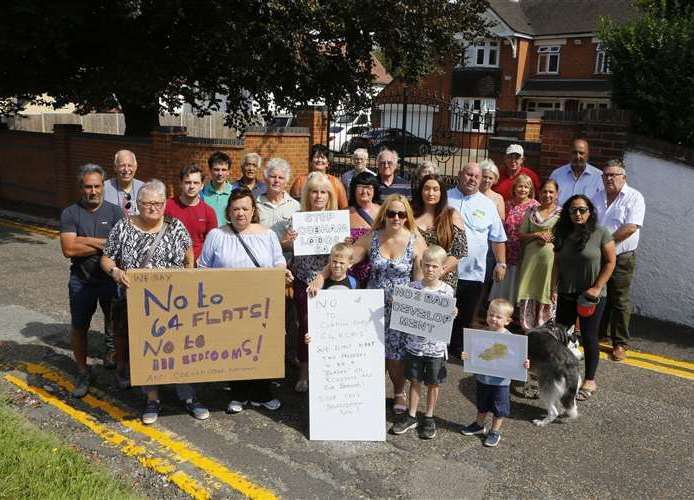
[(149, 56)]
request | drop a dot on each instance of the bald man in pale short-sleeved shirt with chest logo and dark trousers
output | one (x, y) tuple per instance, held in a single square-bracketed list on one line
[(482, 225)]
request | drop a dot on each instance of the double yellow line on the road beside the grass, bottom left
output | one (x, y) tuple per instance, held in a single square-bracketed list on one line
[(178, 450)]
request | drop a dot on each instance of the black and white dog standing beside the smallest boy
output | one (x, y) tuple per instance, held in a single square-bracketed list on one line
[(555, 365)]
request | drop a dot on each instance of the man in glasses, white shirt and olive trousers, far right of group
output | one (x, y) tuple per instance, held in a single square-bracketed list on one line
[(620, 209)]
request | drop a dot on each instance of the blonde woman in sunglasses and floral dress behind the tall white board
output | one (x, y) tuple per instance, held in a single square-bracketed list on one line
[(394, 249)]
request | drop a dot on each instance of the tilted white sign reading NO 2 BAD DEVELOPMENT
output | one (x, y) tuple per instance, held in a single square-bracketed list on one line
[(423, 313)]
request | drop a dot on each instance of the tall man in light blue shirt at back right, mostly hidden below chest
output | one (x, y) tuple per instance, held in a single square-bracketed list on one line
[(578, 176)]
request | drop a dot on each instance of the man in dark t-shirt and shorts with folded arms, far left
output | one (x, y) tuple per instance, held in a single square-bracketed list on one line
[(84, 228)]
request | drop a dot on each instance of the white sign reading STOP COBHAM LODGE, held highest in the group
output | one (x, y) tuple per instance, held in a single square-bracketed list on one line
[(319, 231)]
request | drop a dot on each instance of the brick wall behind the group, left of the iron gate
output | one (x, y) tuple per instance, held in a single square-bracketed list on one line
[(40, 170)]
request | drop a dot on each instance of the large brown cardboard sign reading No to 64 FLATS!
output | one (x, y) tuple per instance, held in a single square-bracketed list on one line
[(204, 325)]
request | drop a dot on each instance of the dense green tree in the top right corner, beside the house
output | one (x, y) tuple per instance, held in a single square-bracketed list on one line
[(651, 58)]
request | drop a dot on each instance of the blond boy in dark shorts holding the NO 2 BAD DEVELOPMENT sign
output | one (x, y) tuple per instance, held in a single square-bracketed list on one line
[(425, 361)]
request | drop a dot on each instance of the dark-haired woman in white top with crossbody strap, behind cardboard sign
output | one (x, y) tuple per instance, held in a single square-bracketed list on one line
[(244, 244)]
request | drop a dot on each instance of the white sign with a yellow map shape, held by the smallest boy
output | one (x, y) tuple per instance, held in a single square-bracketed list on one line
[(496, 354)]
